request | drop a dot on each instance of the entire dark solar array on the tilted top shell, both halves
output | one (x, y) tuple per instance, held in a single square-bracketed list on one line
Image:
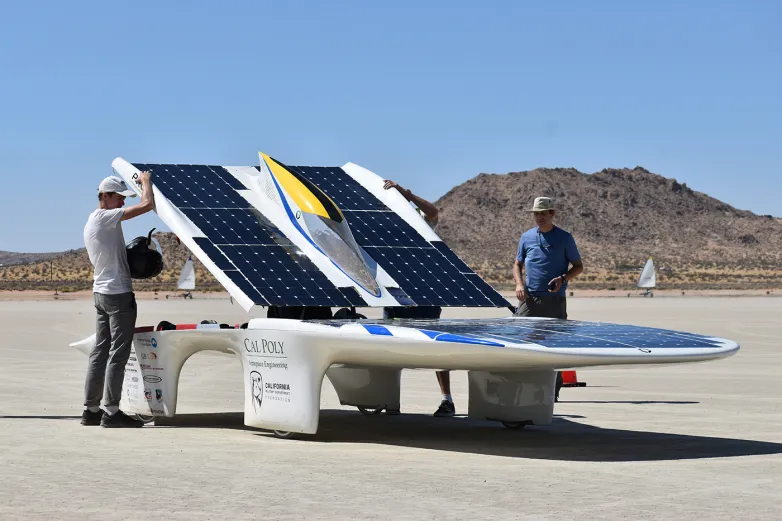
[(270, 270)]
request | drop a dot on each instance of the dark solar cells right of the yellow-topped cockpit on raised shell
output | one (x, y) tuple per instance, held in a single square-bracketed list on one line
[(430, 274)]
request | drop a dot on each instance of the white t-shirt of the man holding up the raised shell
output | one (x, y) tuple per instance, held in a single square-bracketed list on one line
[(105, 245)]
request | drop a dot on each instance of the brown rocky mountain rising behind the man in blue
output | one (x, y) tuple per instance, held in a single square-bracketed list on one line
[(618, 217)]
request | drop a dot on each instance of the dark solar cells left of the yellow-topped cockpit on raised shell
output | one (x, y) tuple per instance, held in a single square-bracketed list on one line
[(249, 251)]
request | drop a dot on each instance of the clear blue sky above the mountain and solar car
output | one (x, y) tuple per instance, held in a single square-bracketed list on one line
[(427, 93)]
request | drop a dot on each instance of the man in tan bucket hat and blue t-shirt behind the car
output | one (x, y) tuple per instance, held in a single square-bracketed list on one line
[(549, 258)]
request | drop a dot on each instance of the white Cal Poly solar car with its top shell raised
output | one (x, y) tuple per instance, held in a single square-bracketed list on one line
[(332, 236)]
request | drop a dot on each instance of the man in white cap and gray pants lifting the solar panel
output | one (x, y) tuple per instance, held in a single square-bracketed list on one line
[(114, 300)]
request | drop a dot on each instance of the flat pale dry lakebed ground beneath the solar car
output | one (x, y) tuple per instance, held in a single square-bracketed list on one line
[(675, 442)]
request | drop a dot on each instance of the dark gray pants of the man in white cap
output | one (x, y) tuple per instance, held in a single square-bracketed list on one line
[(114, 329)]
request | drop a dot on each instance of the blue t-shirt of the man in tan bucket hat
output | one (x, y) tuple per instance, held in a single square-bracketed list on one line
[(545, 256)]
